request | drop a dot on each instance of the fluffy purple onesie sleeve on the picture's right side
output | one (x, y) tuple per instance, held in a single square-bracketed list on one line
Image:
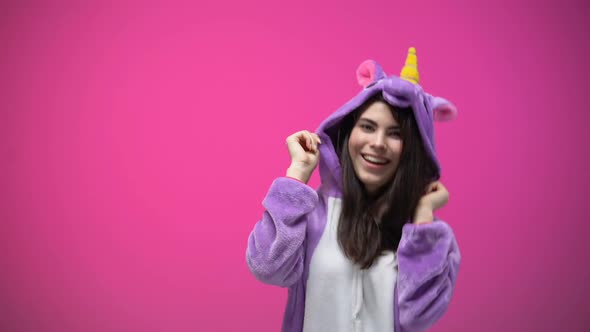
[(428, 262)]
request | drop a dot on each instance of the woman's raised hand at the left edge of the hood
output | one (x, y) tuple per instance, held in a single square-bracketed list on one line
[(303, 148)]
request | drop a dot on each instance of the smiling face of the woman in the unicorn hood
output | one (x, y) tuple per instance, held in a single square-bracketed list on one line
[(375, 146)]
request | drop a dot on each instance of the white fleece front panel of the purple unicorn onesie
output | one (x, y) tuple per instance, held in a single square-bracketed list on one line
[(341, 297)]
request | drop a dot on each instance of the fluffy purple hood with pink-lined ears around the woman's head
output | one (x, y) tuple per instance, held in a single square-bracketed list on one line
[(398, 92)]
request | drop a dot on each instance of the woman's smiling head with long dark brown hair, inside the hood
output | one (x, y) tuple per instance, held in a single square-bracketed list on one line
[(385, 170)]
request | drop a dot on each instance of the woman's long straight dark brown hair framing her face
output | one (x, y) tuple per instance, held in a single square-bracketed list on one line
[(372, 224)]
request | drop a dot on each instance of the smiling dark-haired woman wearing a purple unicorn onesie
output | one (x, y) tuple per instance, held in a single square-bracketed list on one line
[(363, 252)]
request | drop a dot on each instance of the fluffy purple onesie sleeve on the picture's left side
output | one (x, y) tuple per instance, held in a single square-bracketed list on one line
[(275, 252)]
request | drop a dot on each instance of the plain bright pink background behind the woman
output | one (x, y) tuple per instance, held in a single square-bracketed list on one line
[(138, 142)]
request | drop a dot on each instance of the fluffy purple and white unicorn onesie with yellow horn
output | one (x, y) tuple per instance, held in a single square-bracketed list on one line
[(295, 244)]
